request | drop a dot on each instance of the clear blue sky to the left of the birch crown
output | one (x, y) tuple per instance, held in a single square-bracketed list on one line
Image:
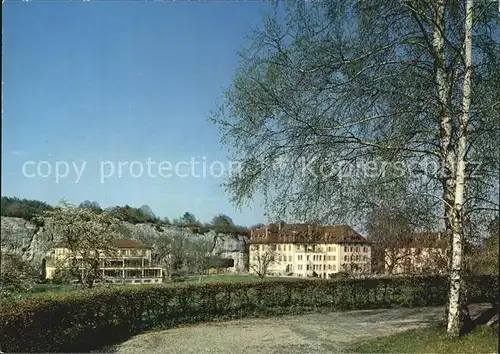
[(119, 81)]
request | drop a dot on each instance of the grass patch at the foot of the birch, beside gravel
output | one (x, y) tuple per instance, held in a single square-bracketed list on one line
[(432, 340)]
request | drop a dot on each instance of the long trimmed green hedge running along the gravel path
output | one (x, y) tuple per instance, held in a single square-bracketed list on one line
[(85, 320)]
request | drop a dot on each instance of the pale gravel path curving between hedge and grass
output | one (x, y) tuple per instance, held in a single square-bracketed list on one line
[(311, 333)]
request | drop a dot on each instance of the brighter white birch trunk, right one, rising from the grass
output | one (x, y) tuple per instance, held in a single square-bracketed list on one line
[(454, 308)]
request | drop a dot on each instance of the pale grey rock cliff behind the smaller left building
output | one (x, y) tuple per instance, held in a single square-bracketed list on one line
[(34, 243)]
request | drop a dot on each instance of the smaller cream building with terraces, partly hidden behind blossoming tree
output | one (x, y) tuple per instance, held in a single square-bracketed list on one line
[(130, 263)]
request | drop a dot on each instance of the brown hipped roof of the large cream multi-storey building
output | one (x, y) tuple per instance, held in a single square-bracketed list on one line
[(305, 233)]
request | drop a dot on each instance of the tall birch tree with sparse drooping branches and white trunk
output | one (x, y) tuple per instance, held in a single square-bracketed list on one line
[(338, 107)]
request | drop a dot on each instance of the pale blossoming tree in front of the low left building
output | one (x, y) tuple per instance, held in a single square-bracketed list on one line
[(88, 237)]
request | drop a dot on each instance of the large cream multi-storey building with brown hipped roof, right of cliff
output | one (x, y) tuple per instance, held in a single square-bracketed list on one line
[(306, 250)]
